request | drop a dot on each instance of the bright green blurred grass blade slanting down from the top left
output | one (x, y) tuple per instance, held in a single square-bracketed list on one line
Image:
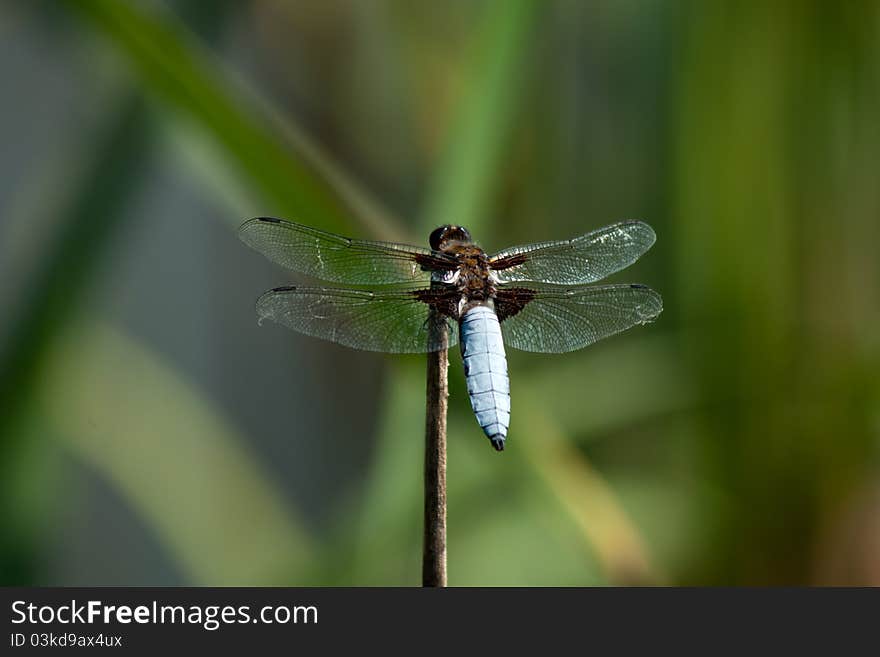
[(293, 175)]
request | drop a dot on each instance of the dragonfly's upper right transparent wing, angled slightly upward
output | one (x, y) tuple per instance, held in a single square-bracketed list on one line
[(585, 259)]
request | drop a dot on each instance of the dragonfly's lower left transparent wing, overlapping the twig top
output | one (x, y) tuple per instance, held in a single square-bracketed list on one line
[(394, 321)]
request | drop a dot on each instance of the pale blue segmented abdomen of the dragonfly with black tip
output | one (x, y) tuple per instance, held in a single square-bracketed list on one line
[(485, 369)]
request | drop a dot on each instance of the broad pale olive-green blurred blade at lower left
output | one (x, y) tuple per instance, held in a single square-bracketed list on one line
[(173, 457)]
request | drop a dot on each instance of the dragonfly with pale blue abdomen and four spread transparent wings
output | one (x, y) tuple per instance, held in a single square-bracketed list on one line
[(394, 297)]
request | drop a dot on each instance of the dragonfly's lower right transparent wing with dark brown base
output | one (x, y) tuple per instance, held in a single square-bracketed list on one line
[(558, 319)]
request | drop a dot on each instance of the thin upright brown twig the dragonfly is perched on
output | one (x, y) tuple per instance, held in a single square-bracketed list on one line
[(434, 549)]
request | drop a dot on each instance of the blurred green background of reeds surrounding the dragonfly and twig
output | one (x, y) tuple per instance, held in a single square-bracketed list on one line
[(152, 433)]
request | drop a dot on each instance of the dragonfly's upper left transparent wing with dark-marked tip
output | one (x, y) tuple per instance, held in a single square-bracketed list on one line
[(339, 259)]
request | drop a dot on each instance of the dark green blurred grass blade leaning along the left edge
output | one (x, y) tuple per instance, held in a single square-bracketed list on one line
[(90, 218)]
